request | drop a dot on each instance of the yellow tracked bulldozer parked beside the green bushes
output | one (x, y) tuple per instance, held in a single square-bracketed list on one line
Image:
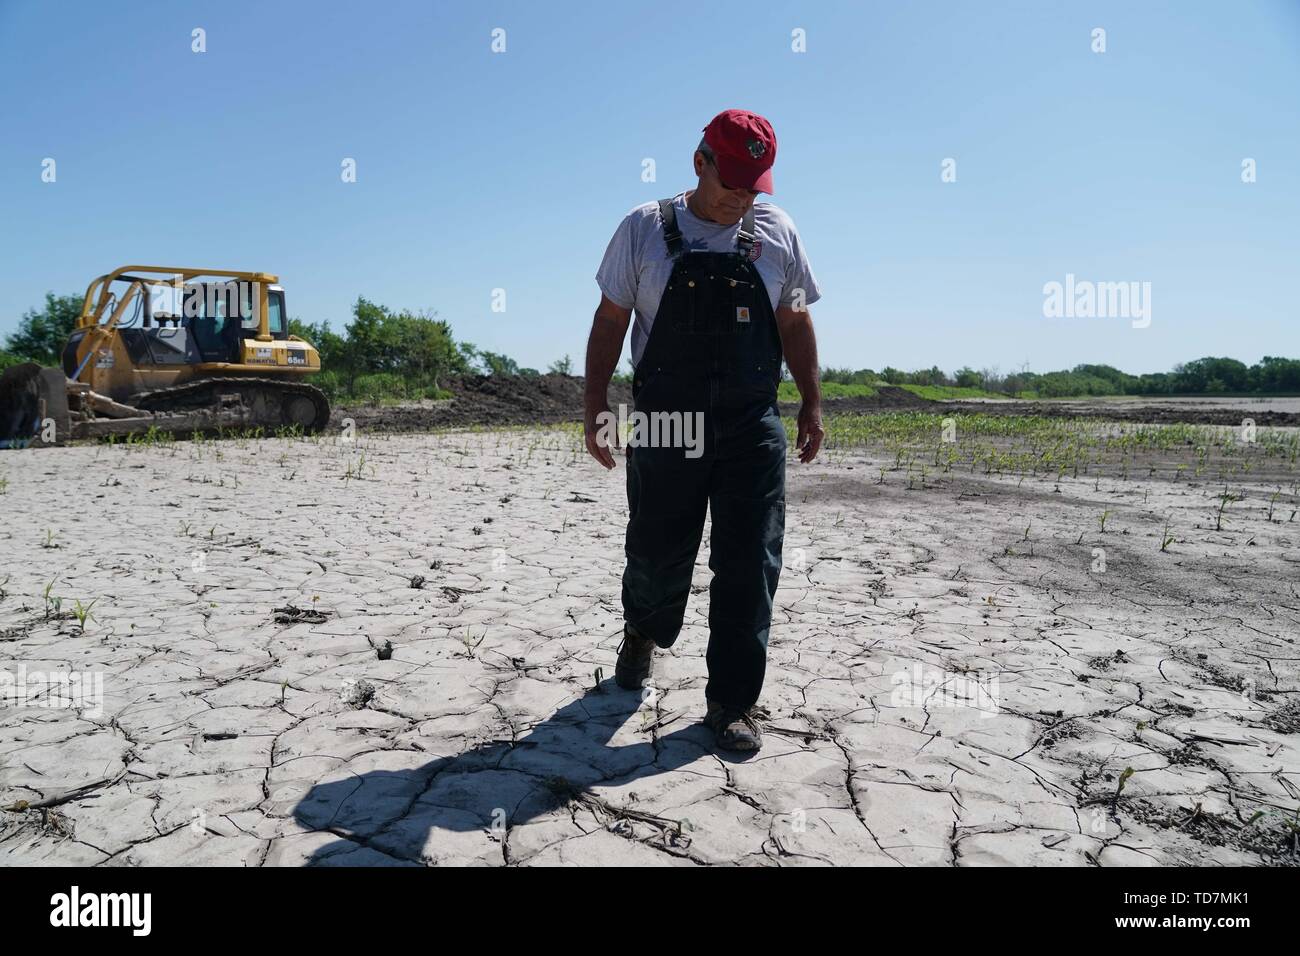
[(172, 349)]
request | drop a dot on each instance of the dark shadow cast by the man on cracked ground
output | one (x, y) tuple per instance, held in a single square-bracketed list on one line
[(497, 785)]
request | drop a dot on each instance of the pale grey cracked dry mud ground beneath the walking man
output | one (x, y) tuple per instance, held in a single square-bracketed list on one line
[(240, 729)]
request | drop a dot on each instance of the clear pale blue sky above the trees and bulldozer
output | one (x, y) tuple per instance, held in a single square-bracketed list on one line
[(480, 171)]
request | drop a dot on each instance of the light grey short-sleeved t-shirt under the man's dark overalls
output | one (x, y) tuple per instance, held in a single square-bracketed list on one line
[(638, 266)]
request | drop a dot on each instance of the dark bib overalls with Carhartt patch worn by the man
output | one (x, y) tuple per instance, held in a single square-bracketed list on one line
[(716, 349)]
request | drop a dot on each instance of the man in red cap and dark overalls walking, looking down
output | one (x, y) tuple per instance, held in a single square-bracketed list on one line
[(721, 289)]
